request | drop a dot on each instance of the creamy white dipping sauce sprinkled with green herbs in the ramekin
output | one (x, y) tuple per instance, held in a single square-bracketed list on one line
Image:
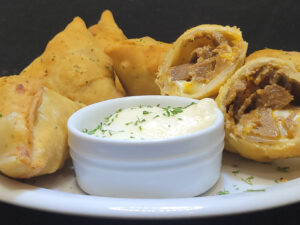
[(155, 122)]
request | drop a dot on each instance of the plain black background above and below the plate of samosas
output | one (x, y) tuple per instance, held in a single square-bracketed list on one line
[(26, 27)]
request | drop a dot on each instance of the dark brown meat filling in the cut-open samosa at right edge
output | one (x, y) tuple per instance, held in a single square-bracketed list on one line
[(254, 99)]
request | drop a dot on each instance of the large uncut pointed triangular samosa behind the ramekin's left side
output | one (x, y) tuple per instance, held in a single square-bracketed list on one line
[(74, 65)]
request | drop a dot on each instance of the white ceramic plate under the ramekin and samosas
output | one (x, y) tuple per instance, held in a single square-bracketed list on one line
[(59, 193)]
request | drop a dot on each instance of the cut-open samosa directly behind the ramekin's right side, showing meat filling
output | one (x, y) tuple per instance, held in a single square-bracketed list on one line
[(201, 60)]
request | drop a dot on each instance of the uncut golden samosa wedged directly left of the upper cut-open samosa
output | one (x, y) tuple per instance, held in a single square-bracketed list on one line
[(136, 63)]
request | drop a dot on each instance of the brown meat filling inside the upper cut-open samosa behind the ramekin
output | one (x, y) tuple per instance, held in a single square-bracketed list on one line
[(203, 61)]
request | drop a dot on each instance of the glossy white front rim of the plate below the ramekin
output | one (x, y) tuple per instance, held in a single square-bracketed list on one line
[(29, 196)]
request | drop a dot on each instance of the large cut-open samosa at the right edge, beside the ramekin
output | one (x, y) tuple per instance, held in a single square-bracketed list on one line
[(261, 106)]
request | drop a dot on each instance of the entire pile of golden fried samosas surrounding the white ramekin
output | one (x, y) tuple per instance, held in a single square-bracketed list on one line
[(82, 66)]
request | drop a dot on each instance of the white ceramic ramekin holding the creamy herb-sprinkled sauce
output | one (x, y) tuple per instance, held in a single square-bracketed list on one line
[(183, 166)]
